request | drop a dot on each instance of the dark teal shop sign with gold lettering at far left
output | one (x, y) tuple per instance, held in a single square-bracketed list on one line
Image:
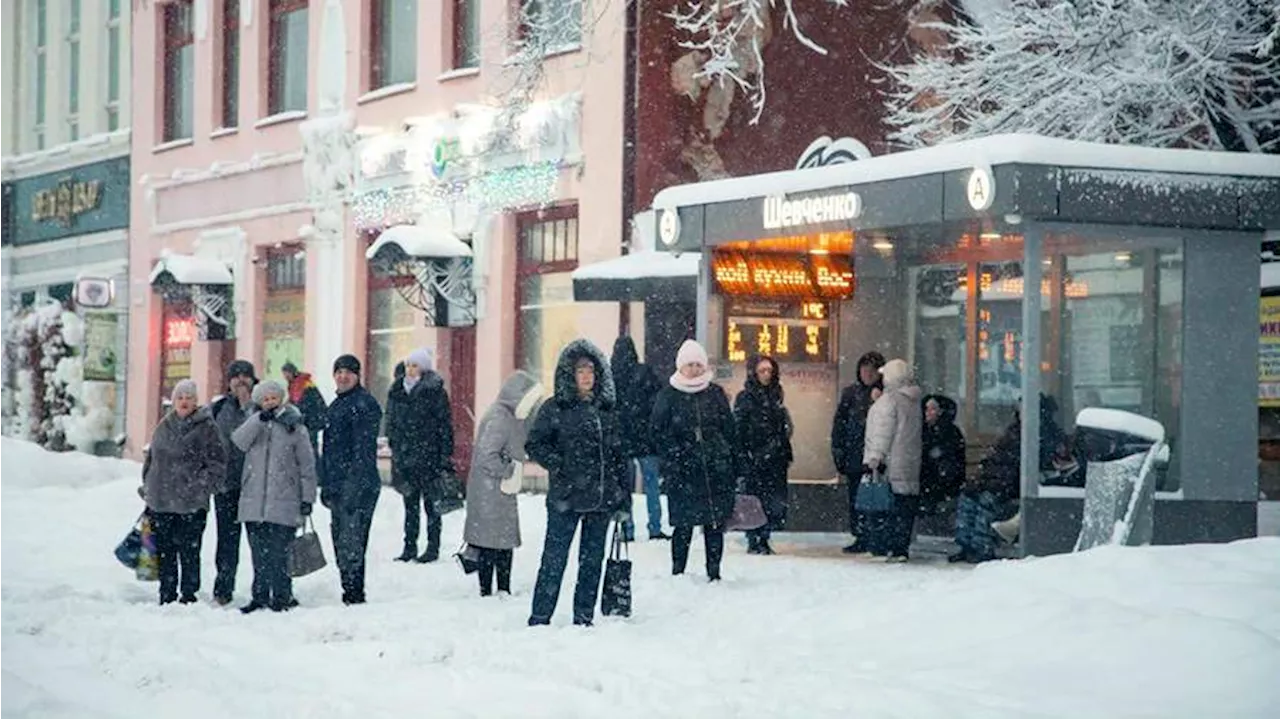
[(79, 201)]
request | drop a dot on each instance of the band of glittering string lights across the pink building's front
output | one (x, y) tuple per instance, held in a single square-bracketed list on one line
[(525, 186)]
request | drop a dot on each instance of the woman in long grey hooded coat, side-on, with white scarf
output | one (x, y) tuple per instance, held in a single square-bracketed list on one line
[(493, 518)]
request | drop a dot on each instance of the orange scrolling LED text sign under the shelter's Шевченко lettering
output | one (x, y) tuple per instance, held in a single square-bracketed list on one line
[(764, 274)]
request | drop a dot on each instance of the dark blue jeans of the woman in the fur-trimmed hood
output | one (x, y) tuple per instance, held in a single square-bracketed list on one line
[(561, 528)]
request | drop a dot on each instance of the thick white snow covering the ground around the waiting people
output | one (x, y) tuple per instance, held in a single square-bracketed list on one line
[(1141, 633)]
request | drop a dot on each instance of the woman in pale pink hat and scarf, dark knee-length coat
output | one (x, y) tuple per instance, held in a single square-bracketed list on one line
[(697, 439)]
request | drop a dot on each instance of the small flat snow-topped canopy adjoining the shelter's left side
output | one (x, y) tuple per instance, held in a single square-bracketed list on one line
[(639, 277)]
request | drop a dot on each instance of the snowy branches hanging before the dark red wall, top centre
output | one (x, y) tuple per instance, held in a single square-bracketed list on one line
[(728, 39)]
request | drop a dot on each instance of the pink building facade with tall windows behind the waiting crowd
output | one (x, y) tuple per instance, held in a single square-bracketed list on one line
[(276, 141)]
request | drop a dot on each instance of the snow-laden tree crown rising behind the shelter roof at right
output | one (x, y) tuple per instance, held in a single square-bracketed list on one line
[(1163, 74)]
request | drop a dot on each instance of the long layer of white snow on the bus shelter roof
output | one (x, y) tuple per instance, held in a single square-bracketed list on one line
[(991, 152)]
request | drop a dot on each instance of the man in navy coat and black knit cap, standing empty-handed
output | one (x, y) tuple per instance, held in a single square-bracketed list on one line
[(350, 484)]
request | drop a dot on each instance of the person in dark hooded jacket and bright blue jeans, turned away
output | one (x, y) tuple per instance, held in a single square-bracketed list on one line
[(638, 388)]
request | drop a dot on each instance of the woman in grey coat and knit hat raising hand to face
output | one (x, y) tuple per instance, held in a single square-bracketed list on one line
[(278, 489)]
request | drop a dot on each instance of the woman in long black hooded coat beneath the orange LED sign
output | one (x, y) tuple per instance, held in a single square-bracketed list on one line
[(765, 443)]
